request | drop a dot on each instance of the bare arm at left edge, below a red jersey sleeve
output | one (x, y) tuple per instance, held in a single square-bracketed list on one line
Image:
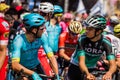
[(3, 49)]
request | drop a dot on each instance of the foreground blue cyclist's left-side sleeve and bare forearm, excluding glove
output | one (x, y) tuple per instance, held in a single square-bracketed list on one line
[(16, 53)]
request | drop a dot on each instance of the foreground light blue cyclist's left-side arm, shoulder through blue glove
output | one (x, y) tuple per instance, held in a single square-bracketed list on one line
[(16, 56)]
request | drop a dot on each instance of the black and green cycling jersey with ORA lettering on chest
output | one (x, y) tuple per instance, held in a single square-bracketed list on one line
[(92, 51)]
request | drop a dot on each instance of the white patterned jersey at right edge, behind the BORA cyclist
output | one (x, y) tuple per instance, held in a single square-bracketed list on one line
[(116, 44)]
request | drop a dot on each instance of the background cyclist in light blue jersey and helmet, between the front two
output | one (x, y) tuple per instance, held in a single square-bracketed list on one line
[(54, 29)]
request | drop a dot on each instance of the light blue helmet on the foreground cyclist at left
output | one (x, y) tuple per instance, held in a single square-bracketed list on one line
[(33, 20)]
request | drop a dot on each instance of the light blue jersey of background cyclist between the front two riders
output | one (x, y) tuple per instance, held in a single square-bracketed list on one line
[(53, 35)]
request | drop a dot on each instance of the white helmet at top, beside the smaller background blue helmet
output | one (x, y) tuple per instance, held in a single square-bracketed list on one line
[(46, 7)]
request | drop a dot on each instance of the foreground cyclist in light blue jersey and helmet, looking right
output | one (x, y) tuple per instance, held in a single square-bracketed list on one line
[(25, 48)]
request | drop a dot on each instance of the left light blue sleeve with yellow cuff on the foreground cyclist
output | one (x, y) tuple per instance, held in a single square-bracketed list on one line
[(16, 51)]
